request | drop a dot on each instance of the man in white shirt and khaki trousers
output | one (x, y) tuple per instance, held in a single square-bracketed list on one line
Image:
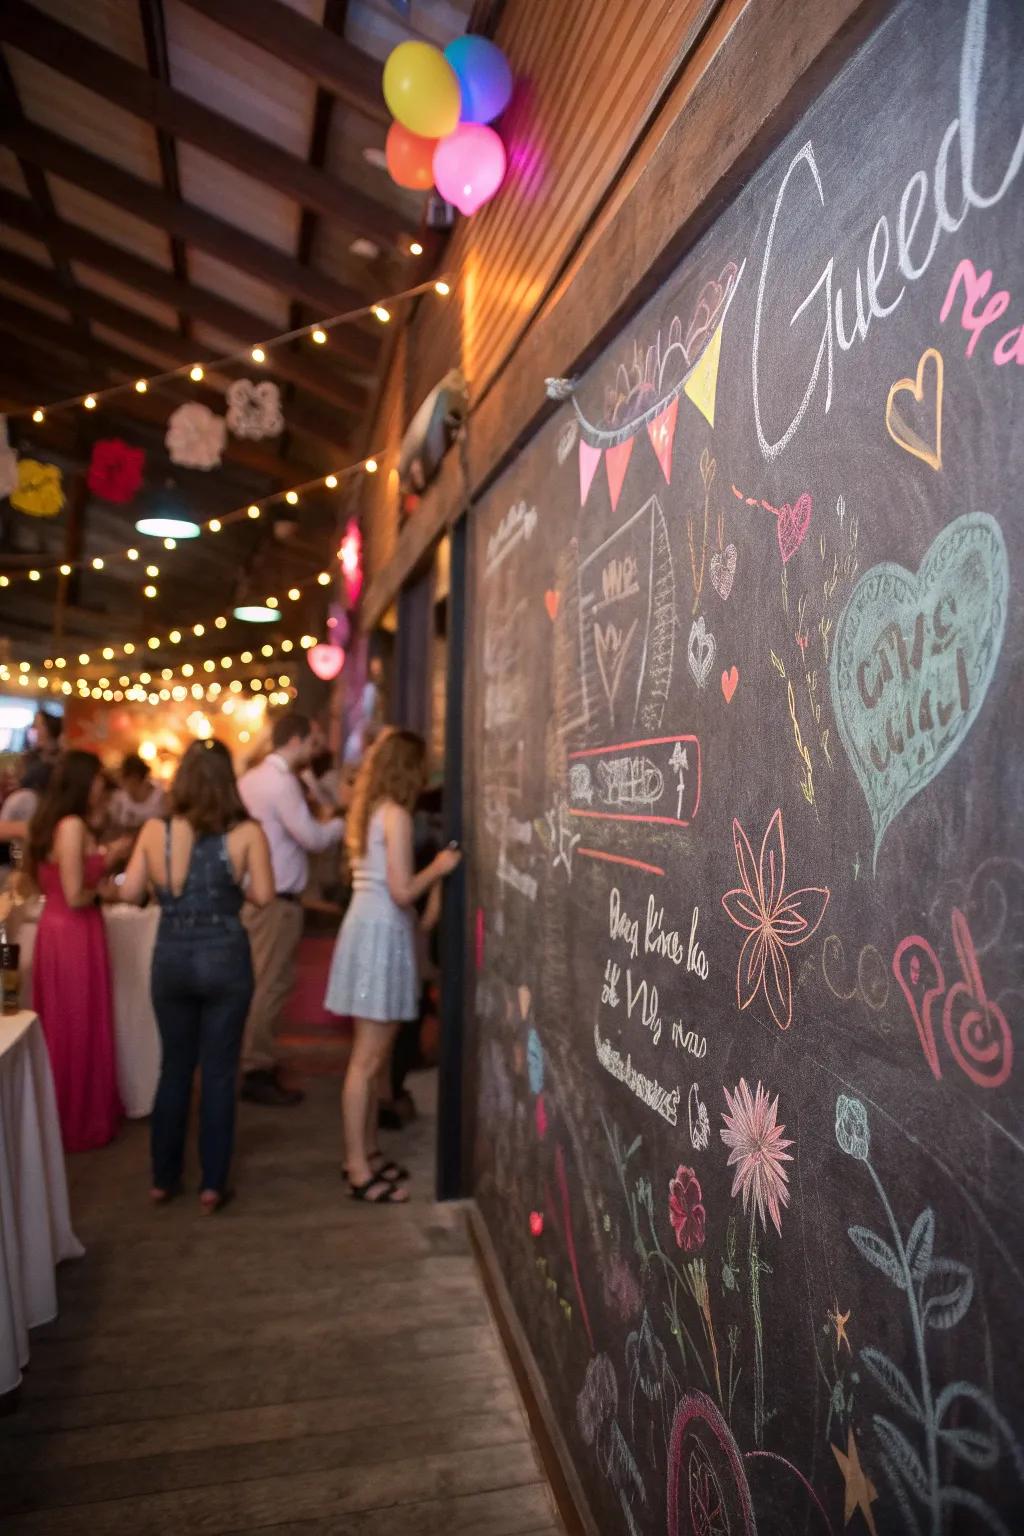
[(274, 798)]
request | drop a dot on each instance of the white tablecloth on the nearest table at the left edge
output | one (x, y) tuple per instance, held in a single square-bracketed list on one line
[(35, 1222)]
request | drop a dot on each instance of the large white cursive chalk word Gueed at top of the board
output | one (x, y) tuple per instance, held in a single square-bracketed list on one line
[(913, 257)]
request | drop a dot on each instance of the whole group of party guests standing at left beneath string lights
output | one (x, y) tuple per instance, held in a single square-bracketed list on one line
[(228, 862)]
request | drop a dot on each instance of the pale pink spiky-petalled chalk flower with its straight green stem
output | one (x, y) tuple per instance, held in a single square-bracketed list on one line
[(758, 1151)]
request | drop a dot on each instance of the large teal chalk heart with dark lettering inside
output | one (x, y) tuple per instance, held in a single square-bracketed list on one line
[(913, 663)]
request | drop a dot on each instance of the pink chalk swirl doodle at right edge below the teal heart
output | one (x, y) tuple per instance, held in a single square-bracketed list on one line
[(977, 1031)]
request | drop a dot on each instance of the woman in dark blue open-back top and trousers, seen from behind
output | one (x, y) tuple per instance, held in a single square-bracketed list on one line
[(202, 979)]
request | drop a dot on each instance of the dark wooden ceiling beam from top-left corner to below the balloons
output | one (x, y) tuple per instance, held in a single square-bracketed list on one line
[(117, 81)]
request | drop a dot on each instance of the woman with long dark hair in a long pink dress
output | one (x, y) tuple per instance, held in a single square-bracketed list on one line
[(71, 972)]
